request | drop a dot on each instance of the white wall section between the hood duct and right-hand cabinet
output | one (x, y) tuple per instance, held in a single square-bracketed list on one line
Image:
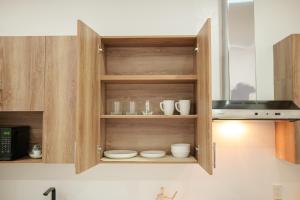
[(274, 20)]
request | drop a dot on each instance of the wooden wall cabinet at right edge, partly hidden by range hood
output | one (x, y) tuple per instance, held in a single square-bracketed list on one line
[(287, 87)]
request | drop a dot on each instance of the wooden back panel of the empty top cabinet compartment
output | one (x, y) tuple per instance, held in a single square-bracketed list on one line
[(149, 60)]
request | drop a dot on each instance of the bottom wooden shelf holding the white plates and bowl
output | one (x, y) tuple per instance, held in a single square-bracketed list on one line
[(138, 159)]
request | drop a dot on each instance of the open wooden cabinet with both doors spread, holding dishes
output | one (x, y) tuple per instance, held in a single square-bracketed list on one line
[(140, 69)]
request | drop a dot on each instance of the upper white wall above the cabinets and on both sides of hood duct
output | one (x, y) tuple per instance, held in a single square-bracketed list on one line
[(274, 20)]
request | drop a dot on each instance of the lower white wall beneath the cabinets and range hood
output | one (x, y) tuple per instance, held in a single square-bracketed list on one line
[(246, 169)]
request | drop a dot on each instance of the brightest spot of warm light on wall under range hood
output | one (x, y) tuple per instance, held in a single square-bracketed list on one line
[(232, 129)]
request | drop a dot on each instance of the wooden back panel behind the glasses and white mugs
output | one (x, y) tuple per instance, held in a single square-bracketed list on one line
[(155, 93)]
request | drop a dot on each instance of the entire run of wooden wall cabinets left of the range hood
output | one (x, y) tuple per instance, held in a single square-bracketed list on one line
[(64, 85)]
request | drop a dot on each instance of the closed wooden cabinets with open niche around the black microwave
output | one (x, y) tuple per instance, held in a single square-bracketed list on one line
[(38, 88)]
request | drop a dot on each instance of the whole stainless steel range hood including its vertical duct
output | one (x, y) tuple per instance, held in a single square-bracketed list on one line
[(239, 70)]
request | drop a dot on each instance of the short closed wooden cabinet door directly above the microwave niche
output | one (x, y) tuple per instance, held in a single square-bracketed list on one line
[(22, 64)]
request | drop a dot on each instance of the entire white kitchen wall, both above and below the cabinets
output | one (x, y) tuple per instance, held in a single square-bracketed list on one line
[(246, 167)]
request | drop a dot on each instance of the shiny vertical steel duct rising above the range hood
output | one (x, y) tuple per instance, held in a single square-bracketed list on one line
[(238, 31)]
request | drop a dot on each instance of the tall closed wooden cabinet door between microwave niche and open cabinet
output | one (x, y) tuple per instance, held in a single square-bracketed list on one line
[(60, 101)]
